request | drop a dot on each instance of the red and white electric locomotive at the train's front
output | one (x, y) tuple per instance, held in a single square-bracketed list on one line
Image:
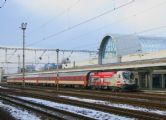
[(115, 80)]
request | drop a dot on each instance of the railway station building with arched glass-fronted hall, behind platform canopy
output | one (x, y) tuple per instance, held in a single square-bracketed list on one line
[(126, 48)]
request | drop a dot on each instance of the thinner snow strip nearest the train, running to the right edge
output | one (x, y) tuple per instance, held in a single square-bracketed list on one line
[(126, 106)]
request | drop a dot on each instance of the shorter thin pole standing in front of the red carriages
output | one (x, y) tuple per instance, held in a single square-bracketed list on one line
[(57, 68)]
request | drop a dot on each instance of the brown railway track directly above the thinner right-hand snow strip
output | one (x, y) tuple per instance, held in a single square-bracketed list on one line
[(115, 97)]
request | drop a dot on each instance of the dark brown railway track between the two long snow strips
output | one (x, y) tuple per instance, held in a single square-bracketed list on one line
[(108, 109)]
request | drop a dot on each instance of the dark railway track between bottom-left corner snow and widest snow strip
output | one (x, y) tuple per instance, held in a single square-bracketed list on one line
[(49, 111)]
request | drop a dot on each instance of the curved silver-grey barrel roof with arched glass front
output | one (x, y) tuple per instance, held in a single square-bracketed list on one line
[(114, 46)]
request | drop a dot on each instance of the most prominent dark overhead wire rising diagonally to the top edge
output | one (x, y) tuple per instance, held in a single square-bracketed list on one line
[(84, 22)]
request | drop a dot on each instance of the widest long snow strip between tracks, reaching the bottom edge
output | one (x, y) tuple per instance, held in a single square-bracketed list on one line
[(79, 110)]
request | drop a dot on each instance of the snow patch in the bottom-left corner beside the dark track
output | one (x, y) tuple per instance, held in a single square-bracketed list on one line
[(19, 113)]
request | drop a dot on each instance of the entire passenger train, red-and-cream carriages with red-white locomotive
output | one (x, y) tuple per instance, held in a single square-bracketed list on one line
[(114, 80)]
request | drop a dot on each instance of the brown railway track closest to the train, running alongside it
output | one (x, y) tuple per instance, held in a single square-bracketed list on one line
[(139, 95)]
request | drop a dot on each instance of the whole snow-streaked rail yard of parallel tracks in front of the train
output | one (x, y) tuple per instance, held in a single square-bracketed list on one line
[(106, 104)]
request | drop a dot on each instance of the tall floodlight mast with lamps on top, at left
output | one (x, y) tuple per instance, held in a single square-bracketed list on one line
[(23, 27)]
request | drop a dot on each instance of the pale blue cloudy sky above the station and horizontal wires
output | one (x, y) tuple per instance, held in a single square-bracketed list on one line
[(46, 18)]
